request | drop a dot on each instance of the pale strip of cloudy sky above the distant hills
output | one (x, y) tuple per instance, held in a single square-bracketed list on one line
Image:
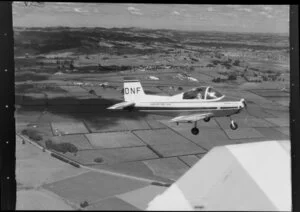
[(192, 17)]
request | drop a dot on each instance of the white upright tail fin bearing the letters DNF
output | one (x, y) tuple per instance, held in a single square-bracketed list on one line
[(133, 91)]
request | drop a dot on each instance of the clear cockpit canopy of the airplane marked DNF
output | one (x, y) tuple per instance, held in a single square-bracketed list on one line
[(204, 93)]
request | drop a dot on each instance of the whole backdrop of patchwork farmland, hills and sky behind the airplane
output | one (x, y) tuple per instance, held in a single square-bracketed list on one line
[(70, 62)]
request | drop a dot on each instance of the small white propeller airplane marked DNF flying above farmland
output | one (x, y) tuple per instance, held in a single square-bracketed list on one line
[(200, 103)]
